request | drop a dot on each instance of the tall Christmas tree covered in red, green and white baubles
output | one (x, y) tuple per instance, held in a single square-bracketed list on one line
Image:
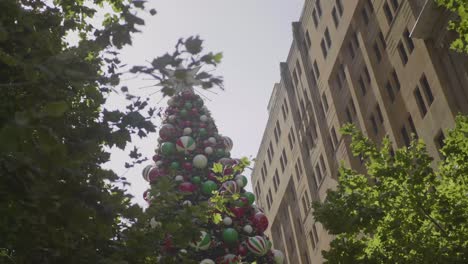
[(199, 209)]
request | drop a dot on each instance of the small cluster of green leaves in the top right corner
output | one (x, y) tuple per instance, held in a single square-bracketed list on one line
[(460, 24)]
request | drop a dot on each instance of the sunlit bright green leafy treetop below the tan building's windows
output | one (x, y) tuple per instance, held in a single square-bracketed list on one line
[(402, 210)]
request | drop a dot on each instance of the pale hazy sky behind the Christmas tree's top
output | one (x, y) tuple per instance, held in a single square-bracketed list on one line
[(254, 37)]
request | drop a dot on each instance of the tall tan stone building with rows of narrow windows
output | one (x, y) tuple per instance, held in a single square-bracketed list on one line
[(383, 65)]
